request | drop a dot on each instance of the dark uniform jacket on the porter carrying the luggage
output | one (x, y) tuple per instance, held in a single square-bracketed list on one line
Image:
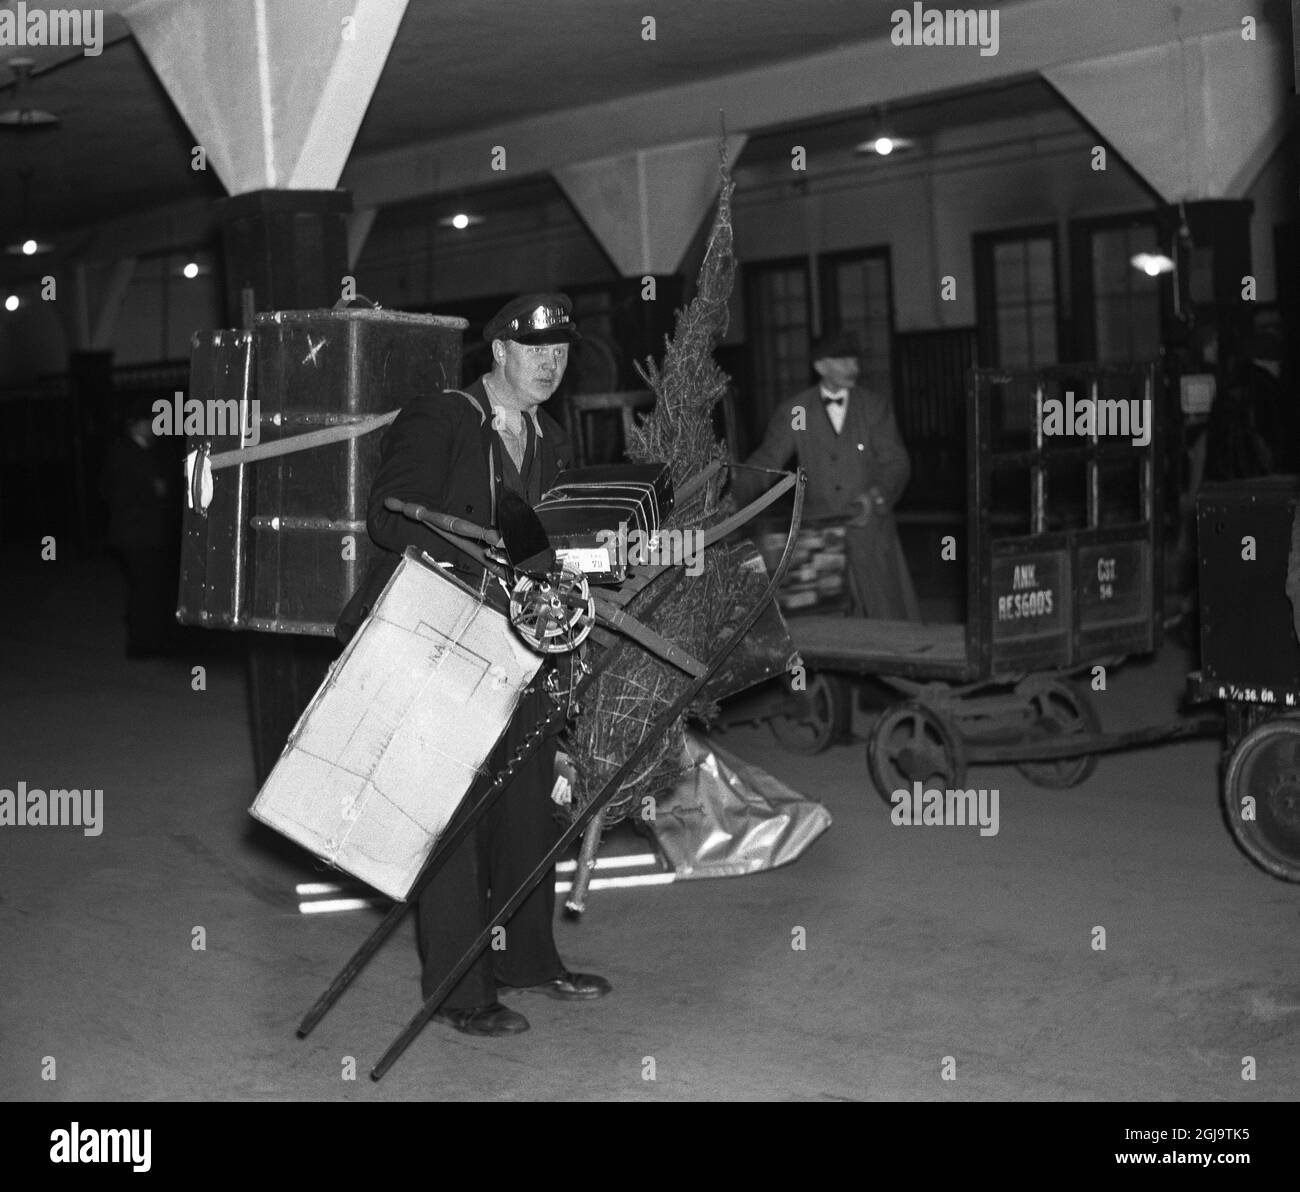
[(443, 453)]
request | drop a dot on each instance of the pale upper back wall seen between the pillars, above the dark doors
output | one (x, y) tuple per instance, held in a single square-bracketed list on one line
[(925, 206)]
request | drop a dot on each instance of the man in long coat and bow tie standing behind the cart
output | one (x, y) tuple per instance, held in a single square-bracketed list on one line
[(848, 443)]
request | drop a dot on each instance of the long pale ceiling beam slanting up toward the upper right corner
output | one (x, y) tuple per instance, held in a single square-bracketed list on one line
[(1034, 37)]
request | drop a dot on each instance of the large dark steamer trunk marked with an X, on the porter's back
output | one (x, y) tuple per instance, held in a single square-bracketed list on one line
[(283, 545)]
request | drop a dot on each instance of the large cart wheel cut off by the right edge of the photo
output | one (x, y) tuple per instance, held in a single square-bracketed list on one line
[(1266, 768)]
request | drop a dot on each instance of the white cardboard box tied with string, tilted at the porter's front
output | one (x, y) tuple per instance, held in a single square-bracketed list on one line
[(406, 719)]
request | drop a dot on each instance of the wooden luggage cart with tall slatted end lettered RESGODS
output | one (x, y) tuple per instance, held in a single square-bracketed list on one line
[(1064, 577)]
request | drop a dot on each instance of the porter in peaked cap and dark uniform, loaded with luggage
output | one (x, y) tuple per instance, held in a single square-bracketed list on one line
[(454, 453)]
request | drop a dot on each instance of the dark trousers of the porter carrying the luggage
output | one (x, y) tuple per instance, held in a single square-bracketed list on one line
[(487, 870)]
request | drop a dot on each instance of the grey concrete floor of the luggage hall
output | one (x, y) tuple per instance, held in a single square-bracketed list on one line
[(922, 943)]
